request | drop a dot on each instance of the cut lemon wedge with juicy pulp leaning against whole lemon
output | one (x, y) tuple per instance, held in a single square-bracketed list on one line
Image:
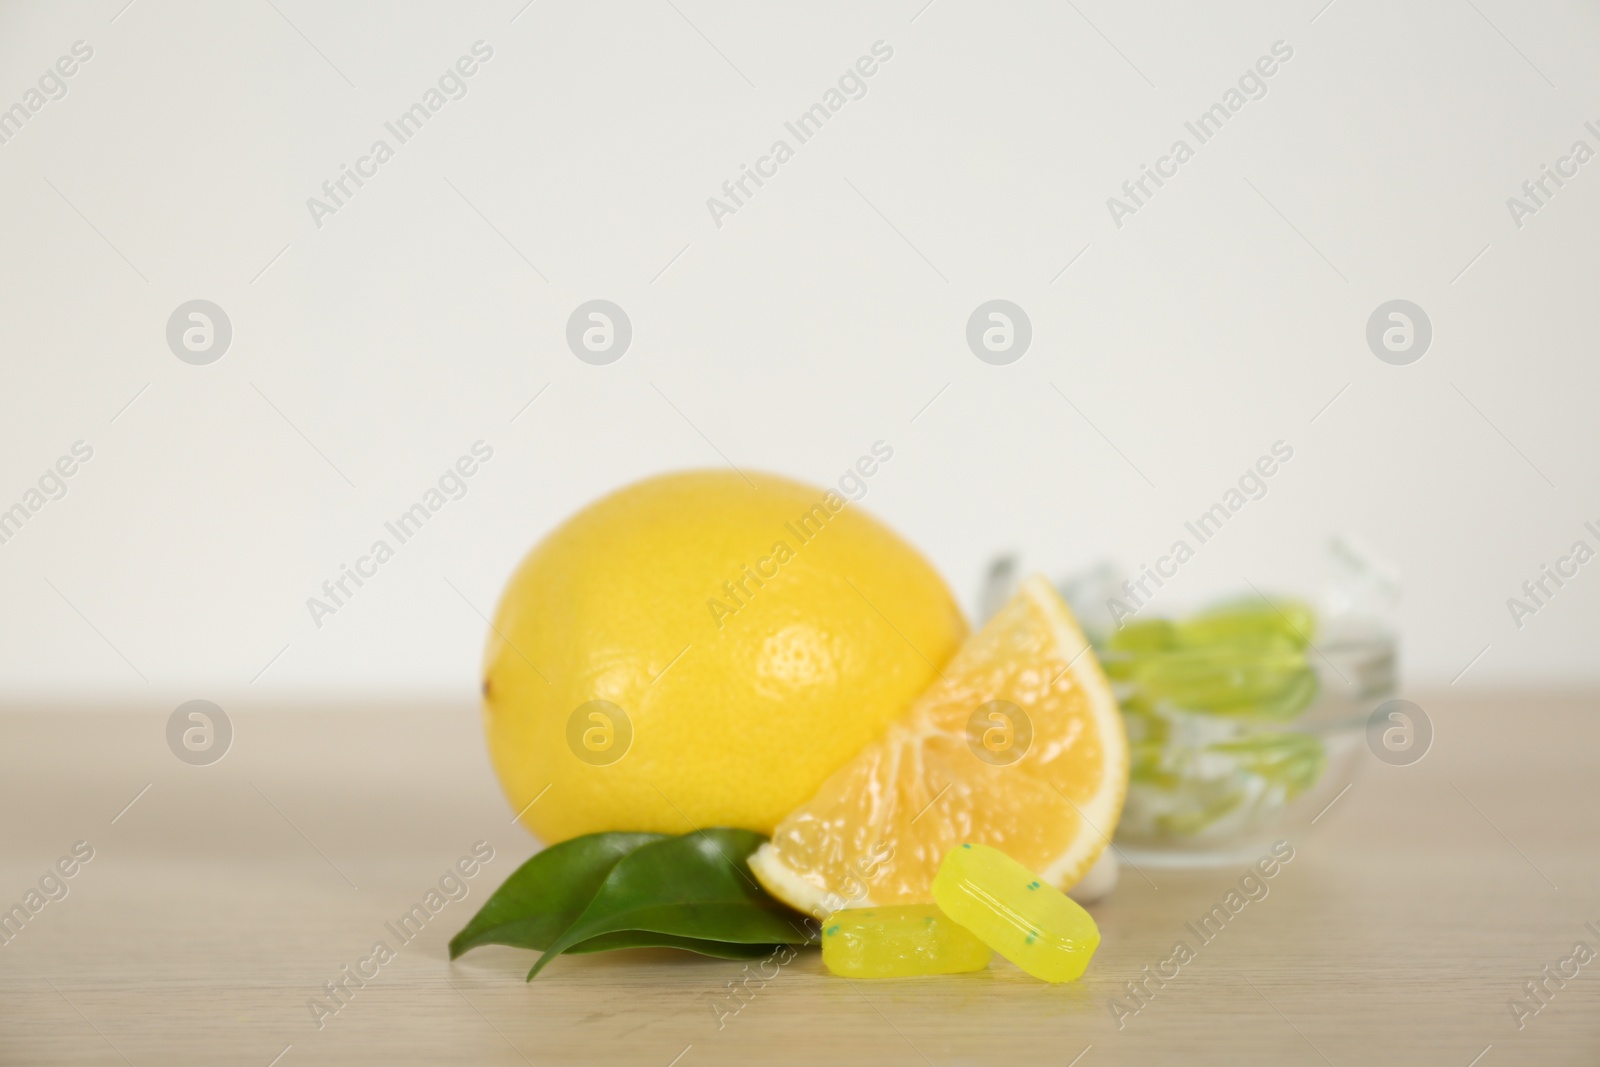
[(1018, 745)]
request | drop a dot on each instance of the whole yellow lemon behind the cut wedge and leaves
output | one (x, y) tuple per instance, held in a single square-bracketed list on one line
[(703, 649)]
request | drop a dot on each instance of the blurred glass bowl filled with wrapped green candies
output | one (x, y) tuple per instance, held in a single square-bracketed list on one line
[(1247, 716)]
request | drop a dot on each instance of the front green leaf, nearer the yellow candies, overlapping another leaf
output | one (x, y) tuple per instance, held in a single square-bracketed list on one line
[(697, 885)]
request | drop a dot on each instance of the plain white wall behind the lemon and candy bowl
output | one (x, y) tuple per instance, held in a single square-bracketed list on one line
[(372, 353)]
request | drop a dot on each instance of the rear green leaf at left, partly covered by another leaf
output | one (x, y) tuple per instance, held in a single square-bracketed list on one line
[(543, 897)]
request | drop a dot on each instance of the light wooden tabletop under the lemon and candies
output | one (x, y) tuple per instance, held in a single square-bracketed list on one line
[(222, 900)]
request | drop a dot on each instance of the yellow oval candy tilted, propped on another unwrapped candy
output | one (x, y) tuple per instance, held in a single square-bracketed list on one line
[(1014, 913)]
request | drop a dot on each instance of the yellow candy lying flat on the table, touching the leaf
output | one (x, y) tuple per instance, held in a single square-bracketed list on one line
[(900, 943)]
